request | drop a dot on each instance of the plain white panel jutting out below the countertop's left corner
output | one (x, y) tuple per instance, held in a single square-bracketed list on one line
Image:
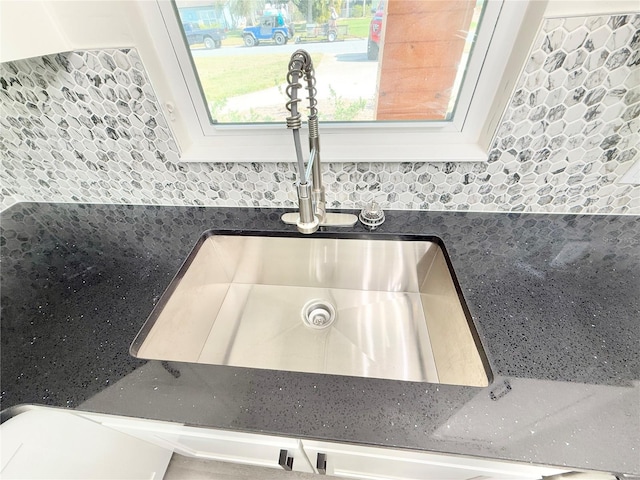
[(47, 443)]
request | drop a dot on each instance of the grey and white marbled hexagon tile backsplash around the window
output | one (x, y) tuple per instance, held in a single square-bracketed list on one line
[(86, 126)]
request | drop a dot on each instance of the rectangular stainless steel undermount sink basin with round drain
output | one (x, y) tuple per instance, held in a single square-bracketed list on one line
[(378, 306)]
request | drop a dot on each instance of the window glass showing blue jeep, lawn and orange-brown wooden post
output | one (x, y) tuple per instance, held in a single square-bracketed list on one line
[(374, 60)]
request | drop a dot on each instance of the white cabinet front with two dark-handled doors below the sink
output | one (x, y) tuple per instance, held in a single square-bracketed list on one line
[(340, 459)]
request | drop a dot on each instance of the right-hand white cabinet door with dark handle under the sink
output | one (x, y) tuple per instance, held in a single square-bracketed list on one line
[(376, 463)]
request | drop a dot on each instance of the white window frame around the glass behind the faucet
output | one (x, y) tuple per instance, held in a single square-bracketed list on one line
[(496, 61)]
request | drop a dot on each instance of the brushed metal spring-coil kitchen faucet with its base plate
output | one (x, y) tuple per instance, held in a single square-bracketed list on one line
[(312, 212)]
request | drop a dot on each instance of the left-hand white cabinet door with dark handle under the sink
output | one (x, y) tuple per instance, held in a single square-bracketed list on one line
[(223, 445)]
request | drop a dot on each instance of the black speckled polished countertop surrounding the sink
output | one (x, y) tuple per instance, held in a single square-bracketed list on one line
[(555, 299)]
